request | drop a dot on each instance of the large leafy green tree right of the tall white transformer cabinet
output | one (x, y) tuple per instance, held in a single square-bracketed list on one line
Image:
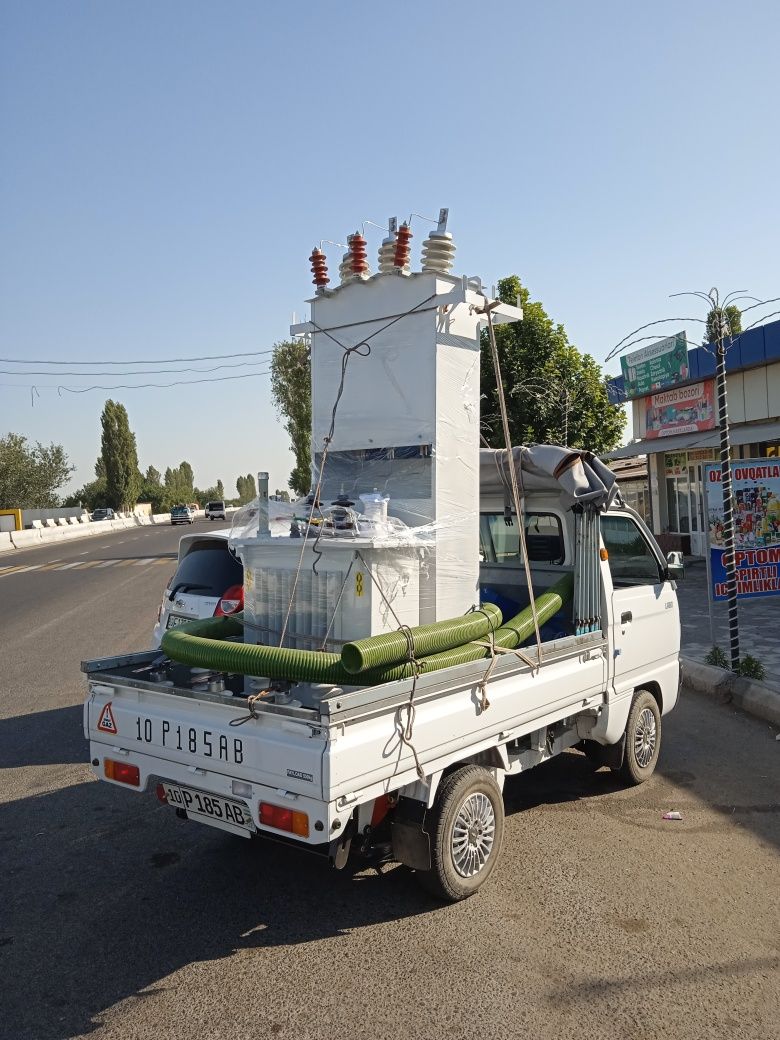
[(554, 393)]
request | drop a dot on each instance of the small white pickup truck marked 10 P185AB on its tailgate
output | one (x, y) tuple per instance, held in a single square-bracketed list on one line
[(337, 769)]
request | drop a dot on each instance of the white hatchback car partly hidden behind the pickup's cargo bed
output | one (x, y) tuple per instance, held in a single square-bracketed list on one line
[(209, 583)]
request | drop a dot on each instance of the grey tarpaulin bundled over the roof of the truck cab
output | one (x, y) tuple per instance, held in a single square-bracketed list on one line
[(578, 477)]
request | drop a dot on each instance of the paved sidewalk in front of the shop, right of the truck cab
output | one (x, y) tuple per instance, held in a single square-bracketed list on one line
[(760, 623)]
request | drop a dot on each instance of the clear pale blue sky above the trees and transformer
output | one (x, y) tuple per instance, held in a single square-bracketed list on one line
[(166, 170)]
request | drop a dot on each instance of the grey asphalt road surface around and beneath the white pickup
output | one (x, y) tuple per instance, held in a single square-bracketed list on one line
[(119, 921)]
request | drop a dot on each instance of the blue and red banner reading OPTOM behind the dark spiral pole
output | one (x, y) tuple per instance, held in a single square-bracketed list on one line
[(757, 488)]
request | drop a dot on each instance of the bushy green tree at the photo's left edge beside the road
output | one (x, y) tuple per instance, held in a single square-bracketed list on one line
[(31, 476)]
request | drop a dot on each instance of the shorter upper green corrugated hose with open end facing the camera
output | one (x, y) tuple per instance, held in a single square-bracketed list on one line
[(393, 648)]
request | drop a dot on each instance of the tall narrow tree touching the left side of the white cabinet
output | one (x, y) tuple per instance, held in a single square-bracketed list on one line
[(291, 387)]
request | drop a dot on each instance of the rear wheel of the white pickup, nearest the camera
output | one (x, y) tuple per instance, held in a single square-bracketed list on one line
[(466, 827)]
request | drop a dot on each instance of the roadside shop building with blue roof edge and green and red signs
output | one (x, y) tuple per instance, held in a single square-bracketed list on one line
[(671, 393)]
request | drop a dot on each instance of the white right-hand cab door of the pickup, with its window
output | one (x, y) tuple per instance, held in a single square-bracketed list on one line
[(645, 623)]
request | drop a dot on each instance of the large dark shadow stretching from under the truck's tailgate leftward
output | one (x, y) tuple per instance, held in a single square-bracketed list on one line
[(106, 895)]
